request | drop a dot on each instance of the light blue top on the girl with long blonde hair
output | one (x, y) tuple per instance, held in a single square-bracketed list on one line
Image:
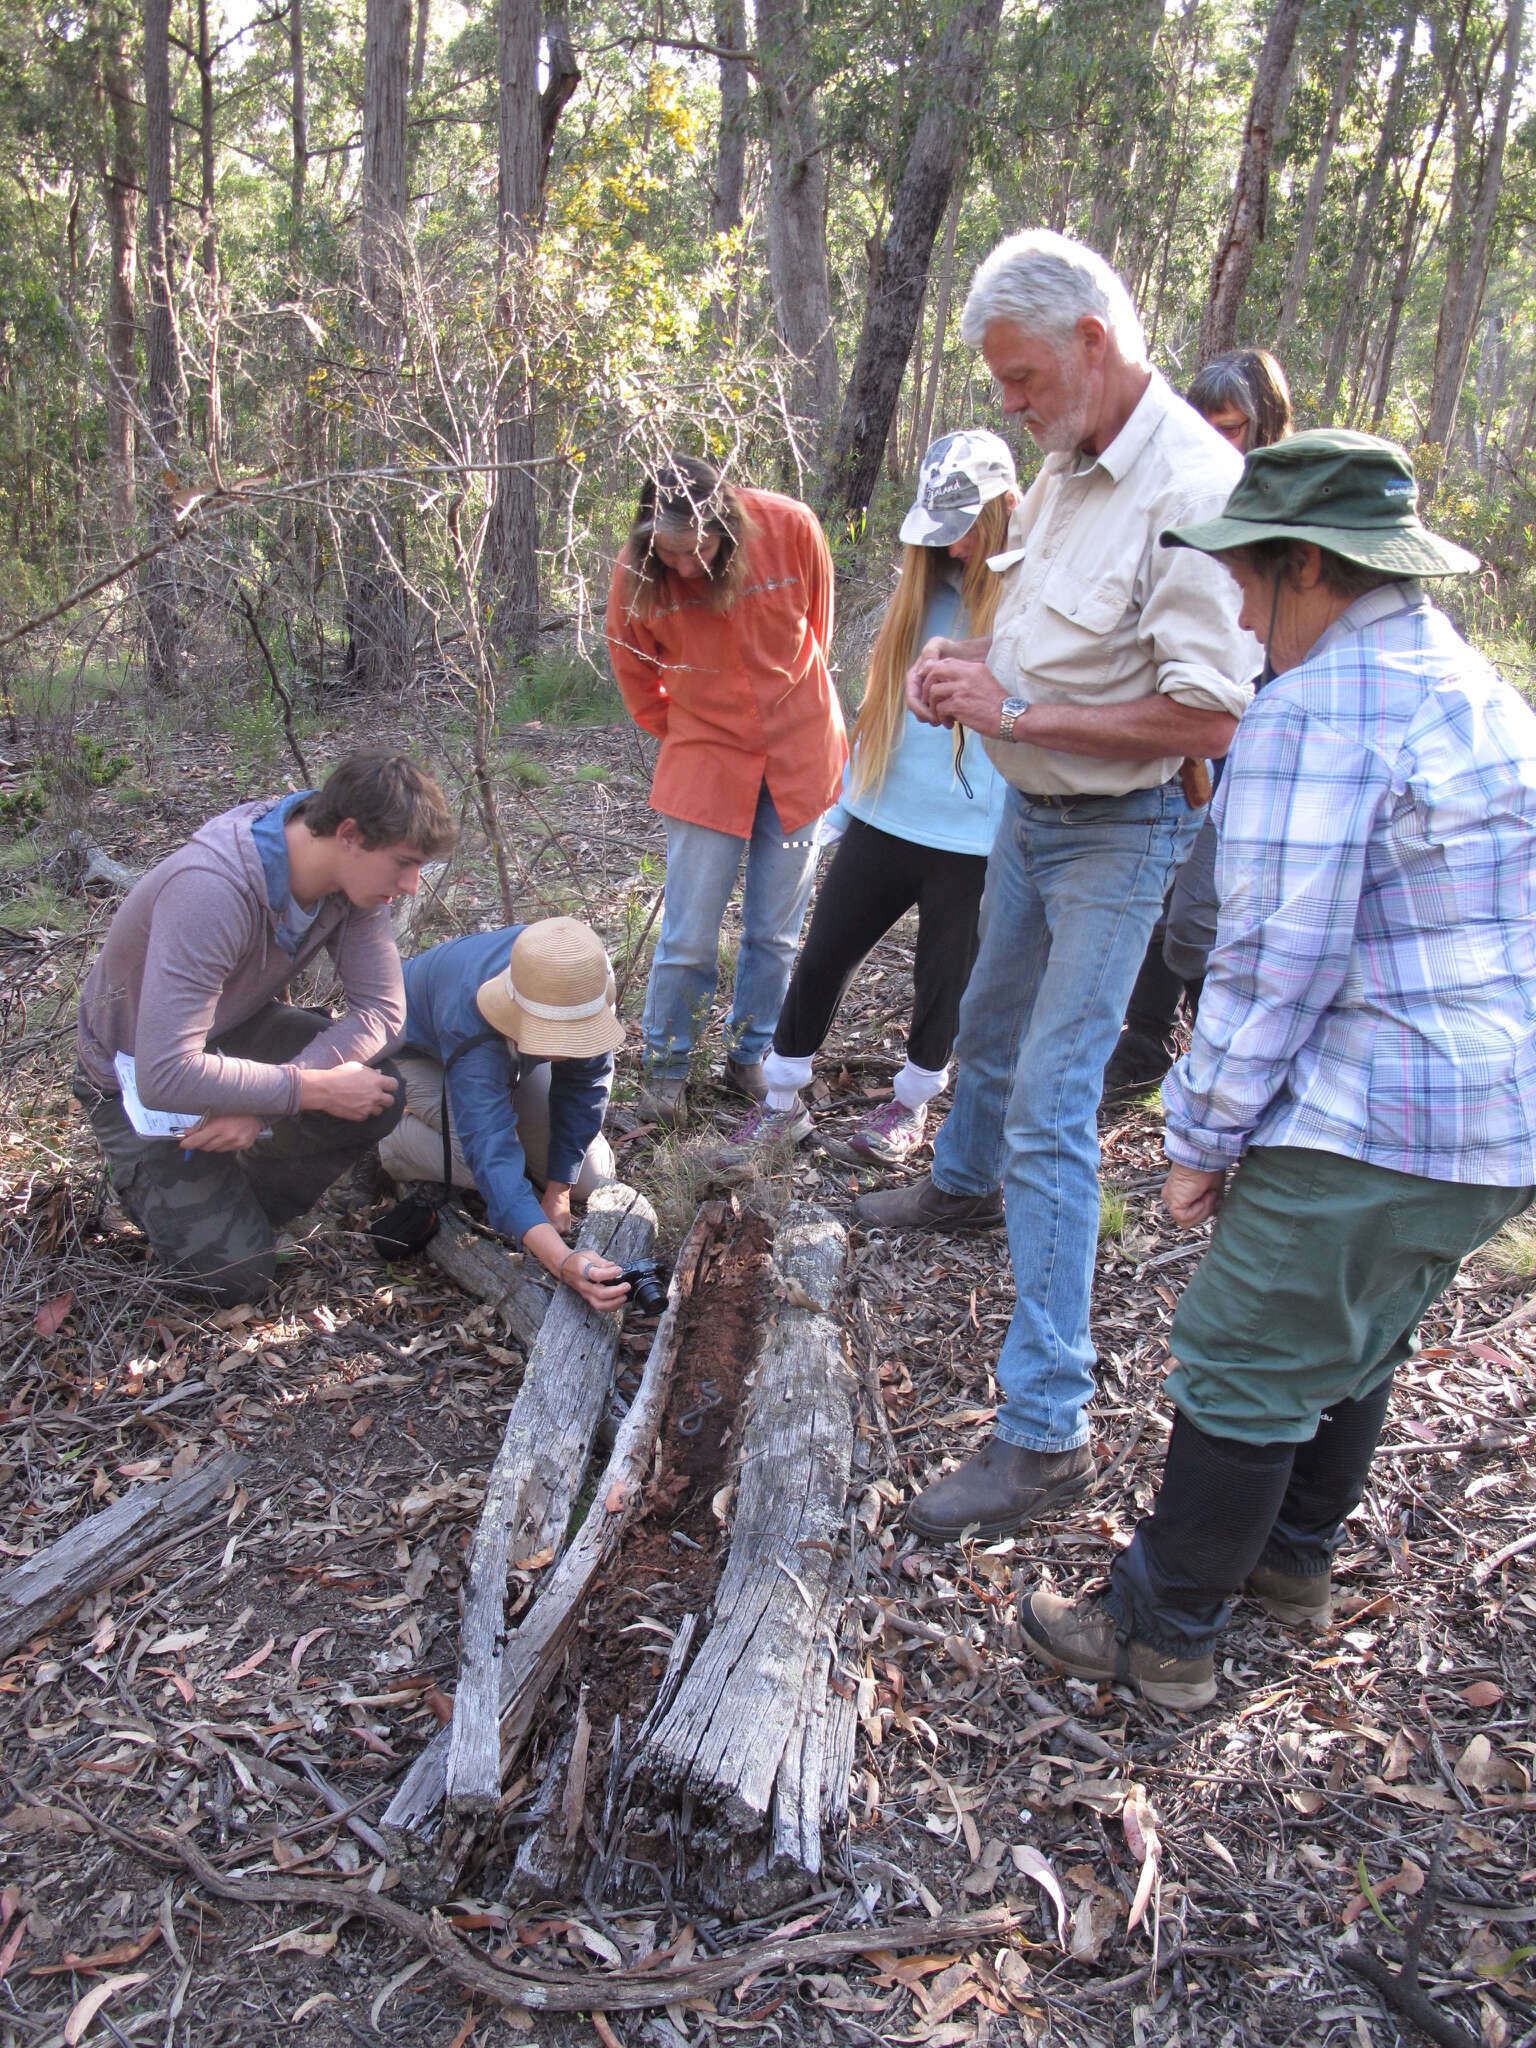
[(921, 798)]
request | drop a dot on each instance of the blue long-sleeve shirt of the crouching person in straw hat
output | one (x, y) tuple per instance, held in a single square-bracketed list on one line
[(439, 1019)]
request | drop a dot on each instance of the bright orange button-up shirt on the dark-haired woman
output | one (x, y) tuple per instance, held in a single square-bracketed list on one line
[(744, 695)]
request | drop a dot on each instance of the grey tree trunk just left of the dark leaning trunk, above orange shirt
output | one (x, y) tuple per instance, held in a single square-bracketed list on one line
[(798, 212)]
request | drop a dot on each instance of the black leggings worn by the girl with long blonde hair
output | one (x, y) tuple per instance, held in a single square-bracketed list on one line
[(873, 880)]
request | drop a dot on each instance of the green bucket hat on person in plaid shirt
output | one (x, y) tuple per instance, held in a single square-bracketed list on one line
[(1347, 493)]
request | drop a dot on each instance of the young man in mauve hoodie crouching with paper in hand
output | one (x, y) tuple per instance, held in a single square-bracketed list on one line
[(222, 1109)]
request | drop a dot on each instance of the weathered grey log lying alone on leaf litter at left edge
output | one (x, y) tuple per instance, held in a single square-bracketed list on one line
[(108, 1547)]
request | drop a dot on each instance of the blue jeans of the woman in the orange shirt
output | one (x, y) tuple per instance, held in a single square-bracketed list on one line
[(685, 968)]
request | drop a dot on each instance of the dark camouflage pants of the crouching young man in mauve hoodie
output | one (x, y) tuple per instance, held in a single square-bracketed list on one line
[(214, 1218)]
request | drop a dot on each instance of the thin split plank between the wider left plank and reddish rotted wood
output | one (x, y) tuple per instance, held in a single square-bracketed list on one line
[(425, 1848)]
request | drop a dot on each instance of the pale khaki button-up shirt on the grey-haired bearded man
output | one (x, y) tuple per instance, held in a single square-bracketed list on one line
[(1095, 611)]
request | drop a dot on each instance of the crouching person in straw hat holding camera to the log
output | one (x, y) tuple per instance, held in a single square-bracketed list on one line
[(513, 1033)]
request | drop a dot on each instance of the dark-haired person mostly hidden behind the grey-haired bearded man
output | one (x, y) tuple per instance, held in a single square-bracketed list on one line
[(1248, 402)]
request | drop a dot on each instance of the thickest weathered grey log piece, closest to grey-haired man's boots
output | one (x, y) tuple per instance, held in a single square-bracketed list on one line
[(726, 1734)]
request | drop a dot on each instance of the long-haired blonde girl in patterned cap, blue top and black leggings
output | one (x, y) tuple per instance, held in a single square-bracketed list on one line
[(916, 816)]
